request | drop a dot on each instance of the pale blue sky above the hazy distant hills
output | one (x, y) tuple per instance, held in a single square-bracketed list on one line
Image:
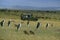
[(33, 3)]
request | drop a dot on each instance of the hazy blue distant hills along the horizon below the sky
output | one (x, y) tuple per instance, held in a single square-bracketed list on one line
[(34, 8)]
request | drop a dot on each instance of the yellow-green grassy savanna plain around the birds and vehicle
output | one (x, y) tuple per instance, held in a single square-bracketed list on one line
[(10, 33)]
